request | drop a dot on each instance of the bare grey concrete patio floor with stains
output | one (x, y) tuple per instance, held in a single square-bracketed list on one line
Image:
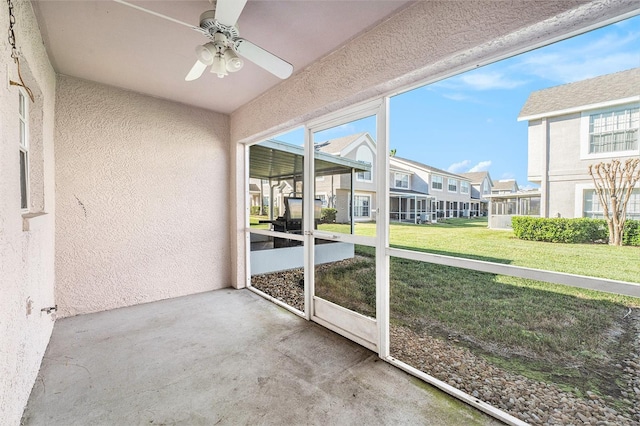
[(223, 357)]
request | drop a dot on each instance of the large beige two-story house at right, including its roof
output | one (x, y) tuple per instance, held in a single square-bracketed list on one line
[(574, 126)]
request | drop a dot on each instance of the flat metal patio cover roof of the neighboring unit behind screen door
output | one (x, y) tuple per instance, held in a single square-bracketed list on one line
[(278, 160)]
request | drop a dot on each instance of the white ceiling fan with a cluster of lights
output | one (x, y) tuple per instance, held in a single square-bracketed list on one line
[(225, 44)]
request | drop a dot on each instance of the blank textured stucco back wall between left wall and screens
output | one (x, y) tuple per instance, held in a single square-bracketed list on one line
[(142, 198)]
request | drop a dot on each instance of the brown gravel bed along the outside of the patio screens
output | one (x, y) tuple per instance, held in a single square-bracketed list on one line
[(535, 402)]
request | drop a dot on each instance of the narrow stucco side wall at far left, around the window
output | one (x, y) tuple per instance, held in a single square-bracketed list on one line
[(26, 257)]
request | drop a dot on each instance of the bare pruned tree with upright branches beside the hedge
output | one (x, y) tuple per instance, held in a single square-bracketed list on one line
[(614, 182)]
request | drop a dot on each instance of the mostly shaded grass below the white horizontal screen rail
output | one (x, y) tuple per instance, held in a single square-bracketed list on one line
[(553, 333)]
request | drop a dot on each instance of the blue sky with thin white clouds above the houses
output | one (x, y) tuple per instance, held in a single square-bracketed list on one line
[(469, 122)]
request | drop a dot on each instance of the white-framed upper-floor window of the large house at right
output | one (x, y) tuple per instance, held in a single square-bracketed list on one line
[(630, 125)]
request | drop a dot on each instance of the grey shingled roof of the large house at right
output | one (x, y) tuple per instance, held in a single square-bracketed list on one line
[(574, 97)]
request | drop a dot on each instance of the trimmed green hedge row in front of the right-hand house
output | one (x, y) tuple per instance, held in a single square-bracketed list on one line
[(571, 231)]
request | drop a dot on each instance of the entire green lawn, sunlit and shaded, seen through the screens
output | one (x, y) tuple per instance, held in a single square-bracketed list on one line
[(564, 335)]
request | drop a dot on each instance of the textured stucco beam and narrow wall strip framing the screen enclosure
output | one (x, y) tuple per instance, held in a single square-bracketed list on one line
[(426, 41)]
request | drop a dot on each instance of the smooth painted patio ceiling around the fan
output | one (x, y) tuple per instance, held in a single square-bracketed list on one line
[(111, 43)]
